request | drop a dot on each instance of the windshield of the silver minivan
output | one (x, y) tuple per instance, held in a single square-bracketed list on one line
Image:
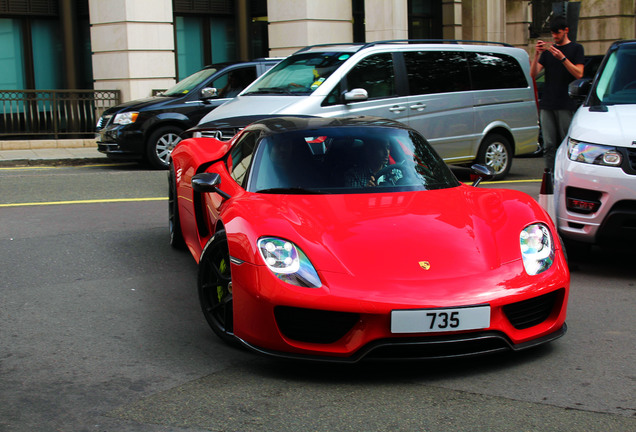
[(299, 74)]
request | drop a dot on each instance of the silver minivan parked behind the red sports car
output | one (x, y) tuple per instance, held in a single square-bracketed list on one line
[(472, 102)]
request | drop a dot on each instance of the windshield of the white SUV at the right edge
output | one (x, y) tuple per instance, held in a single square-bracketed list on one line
[(617, 81)]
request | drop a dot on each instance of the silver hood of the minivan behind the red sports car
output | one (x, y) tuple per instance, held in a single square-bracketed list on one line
[(253, 105)]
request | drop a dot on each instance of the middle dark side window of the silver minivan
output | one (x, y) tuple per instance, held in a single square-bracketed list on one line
[(436, 72)]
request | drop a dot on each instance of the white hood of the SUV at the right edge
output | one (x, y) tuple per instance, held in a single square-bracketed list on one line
[(616, 126)]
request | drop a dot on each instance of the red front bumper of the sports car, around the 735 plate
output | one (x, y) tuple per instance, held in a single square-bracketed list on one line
[(323, 325)]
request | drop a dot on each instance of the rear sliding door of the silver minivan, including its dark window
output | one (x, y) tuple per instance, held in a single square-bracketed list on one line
[(440, 105)]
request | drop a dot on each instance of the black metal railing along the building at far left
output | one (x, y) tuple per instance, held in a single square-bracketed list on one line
[(53, 113)]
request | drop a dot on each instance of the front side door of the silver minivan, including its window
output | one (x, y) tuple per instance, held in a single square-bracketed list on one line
[(376, 74)]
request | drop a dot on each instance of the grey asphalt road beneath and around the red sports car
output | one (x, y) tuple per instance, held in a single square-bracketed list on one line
[(100, 330)]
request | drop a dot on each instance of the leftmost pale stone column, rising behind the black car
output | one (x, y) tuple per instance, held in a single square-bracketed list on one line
[(133, 46)]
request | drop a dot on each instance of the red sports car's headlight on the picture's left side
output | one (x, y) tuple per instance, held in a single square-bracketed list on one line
[(288, 262)]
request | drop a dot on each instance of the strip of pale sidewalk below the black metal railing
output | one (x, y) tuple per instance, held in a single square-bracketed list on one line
[(51, 156)]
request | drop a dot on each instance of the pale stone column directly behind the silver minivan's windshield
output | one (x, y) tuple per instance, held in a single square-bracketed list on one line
[(294, 24)]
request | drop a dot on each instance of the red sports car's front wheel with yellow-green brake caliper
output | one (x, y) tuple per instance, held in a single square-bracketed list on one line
[(215, 287)]
